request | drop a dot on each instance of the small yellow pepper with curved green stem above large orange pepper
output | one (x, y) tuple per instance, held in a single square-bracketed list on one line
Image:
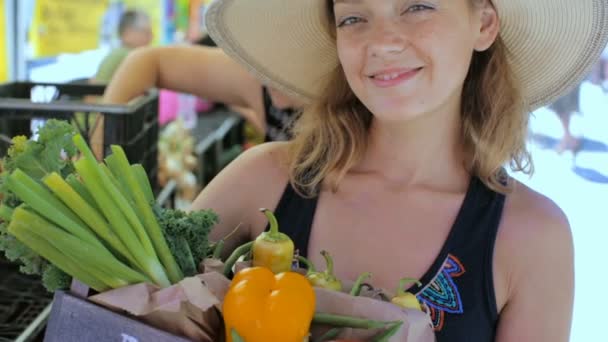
[(273, 249)]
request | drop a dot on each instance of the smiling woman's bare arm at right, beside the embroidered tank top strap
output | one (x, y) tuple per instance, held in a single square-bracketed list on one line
[(538, 248)]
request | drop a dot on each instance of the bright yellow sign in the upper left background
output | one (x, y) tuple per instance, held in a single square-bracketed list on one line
[(66, 26)]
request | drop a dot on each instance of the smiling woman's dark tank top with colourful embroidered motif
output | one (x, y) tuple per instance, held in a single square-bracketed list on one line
[(459, 287)]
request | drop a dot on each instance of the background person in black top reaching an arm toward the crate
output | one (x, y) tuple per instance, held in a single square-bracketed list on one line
[(208, 73)]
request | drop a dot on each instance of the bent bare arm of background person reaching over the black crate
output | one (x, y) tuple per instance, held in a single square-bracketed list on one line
[(202, 71)]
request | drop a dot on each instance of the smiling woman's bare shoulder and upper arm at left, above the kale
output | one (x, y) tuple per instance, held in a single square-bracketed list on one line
[(254, 180)]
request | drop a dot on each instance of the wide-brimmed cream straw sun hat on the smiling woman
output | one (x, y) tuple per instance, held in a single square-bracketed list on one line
[(552, 44)]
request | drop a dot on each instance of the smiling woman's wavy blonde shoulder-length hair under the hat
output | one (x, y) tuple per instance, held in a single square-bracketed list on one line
[(331, 135)]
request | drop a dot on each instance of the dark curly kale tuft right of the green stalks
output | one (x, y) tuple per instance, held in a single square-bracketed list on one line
[(187, 235)]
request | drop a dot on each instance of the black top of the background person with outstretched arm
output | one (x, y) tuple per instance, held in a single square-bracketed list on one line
[(278, 121)]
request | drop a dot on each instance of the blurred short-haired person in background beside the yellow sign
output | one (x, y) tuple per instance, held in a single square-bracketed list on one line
[(134, 31)]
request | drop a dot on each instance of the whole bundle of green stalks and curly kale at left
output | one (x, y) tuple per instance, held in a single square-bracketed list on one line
[(61, 217)]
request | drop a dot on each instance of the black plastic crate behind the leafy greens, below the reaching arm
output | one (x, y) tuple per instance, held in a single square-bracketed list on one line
[(134, 126)]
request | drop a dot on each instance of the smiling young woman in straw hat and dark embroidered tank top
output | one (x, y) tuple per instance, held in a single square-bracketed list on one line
[(396, 168)]
